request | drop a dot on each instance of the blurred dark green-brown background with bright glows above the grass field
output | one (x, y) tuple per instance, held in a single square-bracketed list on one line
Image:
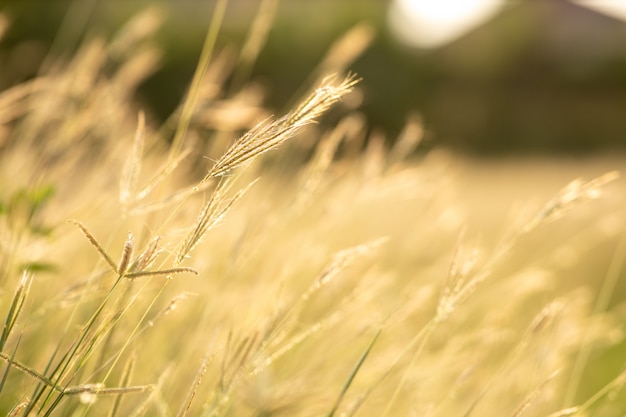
[(487, 77)]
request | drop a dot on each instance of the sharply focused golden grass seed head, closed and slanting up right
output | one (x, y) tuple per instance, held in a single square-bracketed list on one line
[(269, 134)]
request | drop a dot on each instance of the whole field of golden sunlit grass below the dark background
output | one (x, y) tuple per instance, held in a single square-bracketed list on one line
[(330, 276)]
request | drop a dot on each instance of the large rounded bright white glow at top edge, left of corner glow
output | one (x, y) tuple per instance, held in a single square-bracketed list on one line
[(430, 23)]
